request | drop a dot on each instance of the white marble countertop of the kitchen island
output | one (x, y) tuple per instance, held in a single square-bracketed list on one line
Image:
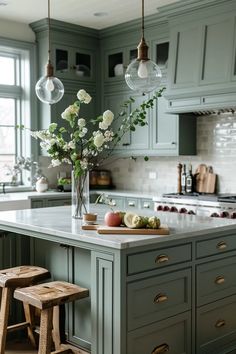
[(57, 224)]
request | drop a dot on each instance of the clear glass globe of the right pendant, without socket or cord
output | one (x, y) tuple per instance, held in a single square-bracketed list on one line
[(143, 76)]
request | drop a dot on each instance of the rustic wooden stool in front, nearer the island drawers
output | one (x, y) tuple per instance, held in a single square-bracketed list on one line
[(47, 297)]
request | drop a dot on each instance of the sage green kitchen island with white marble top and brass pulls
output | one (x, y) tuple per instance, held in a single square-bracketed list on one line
[(148, 294)]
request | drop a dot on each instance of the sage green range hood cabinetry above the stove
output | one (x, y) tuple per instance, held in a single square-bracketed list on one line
[(201, 65)]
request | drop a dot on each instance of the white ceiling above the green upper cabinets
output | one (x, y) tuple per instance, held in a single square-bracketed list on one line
[(79, 12)]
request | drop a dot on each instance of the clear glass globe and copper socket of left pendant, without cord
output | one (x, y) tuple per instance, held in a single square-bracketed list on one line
[(49, 89)]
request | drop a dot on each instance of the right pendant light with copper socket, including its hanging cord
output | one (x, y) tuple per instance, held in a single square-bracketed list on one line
[(142, 74)]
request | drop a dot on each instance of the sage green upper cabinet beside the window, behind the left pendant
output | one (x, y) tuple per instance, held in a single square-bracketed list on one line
[(75, 58)]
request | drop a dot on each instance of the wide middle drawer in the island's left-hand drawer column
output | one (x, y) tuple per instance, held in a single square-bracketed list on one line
[(159, 297)]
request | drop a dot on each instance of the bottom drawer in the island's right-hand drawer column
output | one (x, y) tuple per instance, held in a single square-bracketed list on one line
[(216, 325)]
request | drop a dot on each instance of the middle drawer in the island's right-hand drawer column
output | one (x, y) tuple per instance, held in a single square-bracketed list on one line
[(216, 280)]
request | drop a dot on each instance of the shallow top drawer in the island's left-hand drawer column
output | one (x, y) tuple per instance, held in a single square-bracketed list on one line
[(158, 258)]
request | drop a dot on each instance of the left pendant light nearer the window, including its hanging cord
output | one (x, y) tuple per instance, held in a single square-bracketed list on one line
[(49, 89)]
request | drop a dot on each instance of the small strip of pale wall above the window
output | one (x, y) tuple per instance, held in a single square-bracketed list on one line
[(16, 30)]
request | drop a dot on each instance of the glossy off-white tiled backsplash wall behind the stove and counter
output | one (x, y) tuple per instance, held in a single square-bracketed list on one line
[(216, 146)]
